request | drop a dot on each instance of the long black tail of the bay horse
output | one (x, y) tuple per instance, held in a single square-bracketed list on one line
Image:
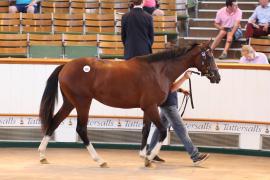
[(48, 99)]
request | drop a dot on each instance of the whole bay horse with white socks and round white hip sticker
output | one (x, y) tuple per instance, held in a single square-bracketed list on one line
[(142, 82)]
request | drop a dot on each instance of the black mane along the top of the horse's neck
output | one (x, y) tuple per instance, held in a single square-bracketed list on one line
[(168, 54)]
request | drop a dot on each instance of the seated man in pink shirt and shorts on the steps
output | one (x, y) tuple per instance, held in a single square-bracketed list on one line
[(228, 23)]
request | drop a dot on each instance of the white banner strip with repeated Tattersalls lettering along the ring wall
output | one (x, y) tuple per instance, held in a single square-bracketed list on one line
[(137, 124)]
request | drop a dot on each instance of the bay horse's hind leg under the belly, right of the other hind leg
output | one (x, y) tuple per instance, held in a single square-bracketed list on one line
[(83, 110)]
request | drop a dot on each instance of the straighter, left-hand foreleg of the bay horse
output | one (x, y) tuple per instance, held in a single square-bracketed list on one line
[(145, 134)]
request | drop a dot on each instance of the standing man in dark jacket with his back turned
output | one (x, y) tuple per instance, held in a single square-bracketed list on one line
[(137, 31)]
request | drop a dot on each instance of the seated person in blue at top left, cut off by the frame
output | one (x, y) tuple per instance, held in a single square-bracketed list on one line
[(24, 6)]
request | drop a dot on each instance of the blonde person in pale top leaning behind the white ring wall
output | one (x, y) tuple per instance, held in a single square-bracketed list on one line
[(250, 56)]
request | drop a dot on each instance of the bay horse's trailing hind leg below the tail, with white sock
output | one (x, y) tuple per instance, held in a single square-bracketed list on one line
[(57, 119)]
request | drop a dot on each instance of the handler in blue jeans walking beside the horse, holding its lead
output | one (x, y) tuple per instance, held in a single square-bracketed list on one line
[(170, 117)]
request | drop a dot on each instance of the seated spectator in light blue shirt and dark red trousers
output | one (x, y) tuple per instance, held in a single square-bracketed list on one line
[(259, 22)]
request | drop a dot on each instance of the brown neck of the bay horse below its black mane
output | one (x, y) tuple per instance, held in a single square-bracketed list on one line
[(177, 67)]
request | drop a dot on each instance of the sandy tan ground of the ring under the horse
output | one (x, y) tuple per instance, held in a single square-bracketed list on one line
[(23, 163)]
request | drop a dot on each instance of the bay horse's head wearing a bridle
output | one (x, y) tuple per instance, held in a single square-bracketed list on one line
[(205, 63)]
